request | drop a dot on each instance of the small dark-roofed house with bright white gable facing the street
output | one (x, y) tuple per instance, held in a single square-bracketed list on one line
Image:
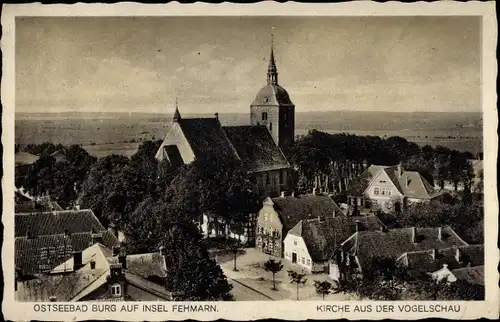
[(311, 242)]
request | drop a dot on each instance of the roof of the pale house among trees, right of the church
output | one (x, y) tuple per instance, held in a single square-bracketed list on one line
[(409, 183)]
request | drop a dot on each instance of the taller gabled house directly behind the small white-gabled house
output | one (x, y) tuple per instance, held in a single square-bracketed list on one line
[(278, 215)]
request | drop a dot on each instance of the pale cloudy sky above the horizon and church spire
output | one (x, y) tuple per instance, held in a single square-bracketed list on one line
[(218, 64)]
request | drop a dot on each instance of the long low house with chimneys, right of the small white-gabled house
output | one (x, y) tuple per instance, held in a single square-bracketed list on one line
[(360, 249)]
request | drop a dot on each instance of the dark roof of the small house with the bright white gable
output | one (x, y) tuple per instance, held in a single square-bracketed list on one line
[(322, 237)]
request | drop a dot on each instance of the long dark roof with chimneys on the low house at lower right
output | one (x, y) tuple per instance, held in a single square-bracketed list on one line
[(367, 245)]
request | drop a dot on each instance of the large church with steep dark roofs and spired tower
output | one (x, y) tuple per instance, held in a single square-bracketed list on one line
[(261, 146)]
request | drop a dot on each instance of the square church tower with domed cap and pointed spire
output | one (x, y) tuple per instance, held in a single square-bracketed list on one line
[(273, 108)]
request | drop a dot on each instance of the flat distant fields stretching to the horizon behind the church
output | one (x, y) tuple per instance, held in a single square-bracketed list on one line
[(105, 134)]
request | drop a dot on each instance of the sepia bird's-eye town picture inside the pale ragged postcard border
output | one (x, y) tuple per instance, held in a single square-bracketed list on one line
[(200, 159)]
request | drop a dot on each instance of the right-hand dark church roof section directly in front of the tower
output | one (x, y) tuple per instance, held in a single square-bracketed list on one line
[(256, 147)]
